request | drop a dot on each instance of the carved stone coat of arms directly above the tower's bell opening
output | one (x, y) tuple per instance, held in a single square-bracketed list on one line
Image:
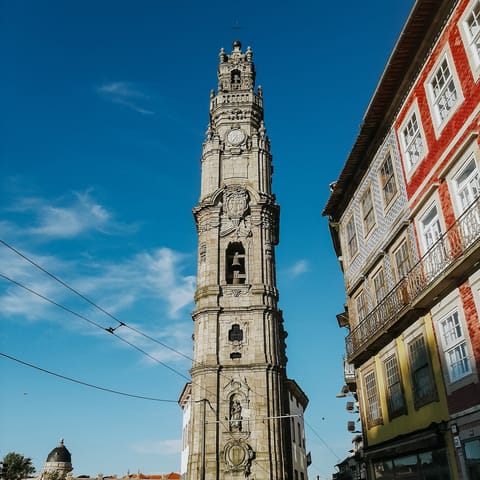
[(235, 207)]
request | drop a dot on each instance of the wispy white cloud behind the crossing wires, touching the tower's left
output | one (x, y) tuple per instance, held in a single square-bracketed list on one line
[(151, 284)]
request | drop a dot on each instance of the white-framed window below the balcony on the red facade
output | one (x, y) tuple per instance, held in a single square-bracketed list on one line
[(454, 347)]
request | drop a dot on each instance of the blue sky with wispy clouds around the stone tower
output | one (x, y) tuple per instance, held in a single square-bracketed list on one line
[(104, 110)]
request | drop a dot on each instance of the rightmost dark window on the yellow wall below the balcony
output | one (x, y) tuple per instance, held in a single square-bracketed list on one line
[(423, 384)]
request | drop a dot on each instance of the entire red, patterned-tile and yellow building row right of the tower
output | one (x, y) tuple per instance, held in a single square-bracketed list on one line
[(404, 216)]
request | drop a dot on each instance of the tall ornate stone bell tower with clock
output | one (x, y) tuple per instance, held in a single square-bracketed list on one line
[(237, 415)]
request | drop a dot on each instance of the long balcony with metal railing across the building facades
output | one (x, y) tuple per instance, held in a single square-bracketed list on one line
[(452, 256)]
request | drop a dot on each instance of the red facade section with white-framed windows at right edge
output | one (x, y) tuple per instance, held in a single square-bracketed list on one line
[(441, 167)]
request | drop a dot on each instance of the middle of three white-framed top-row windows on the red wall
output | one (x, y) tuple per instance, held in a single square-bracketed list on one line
[(444, 91)]
